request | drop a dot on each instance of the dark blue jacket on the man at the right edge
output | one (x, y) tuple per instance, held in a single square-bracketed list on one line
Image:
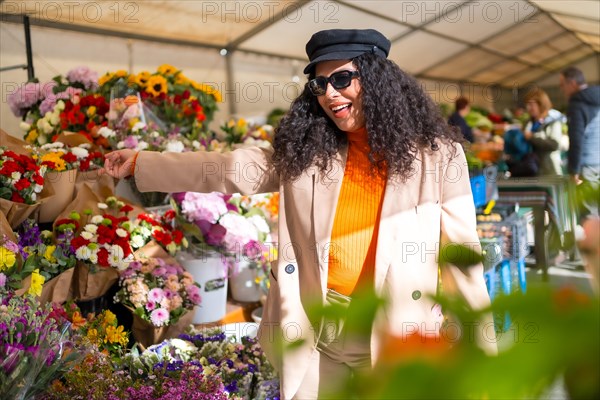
[(584, 129)]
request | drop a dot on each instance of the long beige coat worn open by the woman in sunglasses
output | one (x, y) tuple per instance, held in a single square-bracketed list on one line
[(434, 207)]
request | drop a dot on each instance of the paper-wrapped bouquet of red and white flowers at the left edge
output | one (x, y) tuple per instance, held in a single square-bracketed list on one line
[(21, 181)]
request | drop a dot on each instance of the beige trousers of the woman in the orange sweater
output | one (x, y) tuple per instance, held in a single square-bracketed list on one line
[(338, 357)]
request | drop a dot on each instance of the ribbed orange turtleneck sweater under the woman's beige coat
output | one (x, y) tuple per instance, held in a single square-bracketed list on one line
[(356, 222)]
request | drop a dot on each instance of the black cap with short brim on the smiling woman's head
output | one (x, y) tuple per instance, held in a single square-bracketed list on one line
[(344, 44)]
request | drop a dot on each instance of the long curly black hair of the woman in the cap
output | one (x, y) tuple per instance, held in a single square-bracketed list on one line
[(399, 116)]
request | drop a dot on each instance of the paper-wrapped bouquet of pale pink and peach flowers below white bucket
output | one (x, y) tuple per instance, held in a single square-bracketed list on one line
[(160, 294)]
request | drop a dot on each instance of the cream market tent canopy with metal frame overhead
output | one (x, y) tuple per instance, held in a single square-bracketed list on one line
[(505, 43)]
